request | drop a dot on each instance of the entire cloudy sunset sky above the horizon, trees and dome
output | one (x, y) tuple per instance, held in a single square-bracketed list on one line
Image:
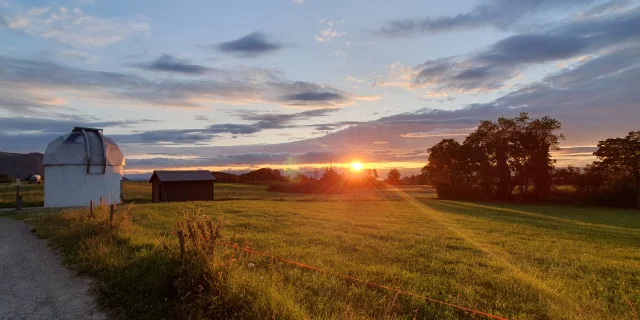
[(305, 83)]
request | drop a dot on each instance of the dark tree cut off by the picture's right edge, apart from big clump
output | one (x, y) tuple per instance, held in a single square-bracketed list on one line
[(622, 155)]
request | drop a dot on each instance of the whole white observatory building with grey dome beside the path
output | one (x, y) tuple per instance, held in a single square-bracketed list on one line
[(82, 166)]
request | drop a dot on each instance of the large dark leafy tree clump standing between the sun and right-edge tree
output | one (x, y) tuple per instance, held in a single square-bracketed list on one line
[(495, 158)]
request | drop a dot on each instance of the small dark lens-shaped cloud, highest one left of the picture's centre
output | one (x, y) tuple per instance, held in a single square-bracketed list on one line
[(249, 46)]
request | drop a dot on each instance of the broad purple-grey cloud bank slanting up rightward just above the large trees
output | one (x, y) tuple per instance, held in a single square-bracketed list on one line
[(594, 100)]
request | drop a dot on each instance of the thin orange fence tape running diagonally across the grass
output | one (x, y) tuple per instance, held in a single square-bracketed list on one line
[(299, 264)]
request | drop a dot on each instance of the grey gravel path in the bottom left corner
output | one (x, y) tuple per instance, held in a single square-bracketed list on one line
[(33, 282)]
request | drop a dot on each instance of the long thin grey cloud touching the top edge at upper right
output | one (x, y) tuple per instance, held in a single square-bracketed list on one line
[(499, 14)]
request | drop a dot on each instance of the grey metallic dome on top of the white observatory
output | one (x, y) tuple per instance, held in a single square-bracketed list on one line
[(83, 146)]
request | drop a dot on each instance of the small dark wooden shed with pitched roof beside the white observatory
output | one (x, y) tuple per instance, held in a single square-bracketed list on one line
[(186, 185)]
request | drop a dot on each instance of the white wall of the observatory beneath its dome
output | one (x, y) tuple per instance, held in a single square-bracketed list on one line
[(71, 186)]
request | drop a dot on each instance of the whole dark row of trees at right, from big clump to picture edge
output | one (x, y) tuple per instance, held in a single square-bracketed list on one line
[(511, 159)]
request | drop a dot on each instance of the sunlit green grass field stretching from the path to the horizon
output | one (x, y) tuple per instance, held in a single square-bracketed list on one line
[(516, 261)]
